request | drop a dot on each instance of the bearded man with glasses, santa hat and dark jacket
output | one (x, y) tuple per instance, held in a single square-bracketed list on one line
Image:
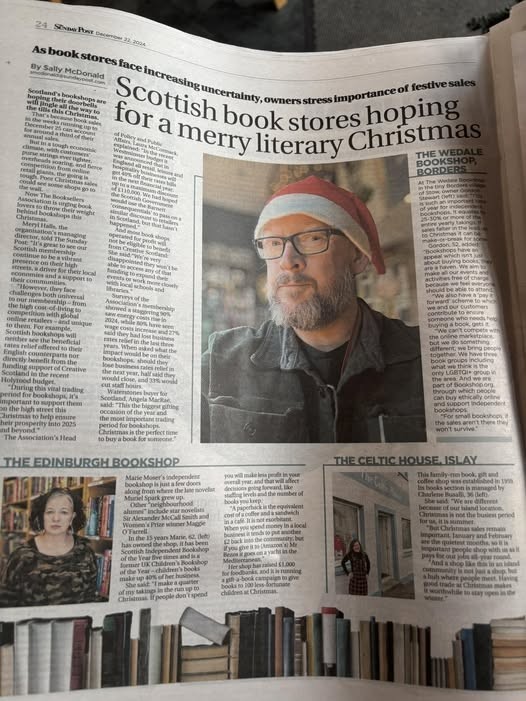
[(326, 368)]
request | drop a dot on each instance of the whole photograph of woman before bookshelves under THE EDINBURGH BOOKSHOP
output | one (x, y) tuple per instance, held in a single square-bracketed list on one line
[(56, 540)]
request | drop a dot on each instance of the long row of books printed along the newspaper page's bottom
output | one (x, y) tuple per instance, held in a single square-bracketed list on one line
[(39, 655)]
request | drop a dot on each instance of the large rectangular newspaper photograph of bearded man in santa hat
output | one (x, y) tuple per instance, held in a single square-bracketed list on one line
[(309, 308)]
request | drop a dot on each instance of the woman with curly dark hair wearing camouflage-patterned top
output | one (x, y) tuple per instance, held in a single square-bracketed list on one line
[(56, 566)]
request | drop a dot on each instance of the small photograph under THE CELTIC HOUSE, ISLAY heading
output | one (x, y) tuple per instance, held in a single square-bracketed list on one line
[(373, 552)]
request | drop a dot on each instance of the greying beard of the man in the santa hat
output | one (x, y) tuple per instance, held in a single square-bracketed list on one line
[(320, 310)]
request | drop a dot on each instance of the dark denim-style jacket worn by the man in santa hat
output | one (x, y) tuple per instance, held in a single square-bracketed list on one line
[(255, 382)]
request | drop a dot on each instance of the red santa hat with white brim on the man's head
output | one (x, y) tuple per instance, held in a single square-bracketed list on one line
[(338, 208)]
